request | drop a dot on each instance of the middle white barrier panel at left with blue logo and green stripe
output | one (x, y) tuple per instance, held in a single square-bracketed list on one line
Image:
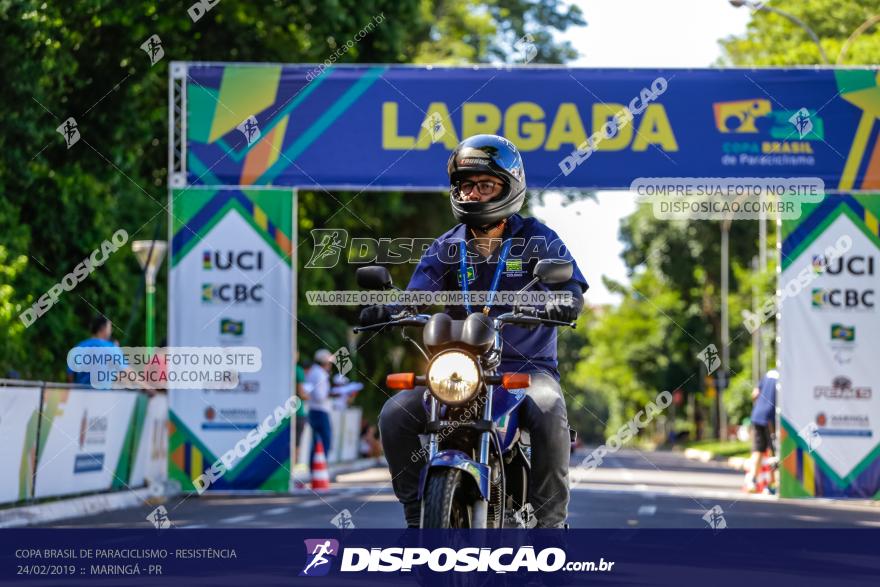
[(83, 441)]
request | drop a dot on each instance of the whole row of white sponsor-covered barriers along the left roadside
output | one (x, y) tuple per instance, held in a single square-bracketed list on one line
[(65, 439)]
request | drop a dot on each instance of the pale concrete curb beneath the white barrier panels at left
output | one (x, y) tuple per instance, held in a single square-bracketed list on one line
[(76, 507)]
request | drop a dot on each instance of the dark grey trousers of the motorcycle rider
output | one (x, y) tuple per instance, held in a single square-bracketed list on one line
[(542, 413)]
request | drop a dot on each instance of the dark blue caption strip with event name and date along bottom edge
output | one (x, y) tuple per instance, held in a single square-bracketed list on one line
[(271, 556)]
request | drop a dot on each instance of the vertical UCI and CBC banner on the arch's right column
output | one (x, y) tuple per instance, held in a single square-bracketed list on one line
[(830, 333)]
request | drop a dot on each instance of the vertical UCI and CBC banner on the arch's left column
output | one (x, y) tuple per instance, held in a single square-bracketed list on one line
[(231, 285)]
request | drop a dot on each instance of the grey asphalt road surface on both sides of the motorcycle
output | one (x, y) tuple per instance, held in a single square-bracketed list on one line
[(630, 489)]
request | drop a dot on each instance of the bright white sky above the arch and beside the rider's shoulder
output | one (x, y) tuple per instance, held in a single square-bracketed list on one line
[(632, 33)]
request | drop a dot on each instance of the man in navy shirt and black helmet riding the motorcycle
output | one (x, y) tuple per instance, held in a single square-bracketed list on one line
[(488, 188)]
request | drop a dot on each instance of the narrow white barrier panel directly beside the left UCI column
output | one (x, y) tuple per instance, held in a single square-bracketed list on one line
[(151, 442)]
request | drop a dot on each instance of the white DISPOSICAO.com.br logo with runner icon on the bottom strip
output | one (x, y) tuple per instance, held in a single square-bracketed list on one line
[(320, 553)]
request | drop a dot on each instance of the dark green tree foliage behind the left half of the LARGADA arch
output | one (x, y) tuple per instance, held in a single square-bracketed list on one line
[(83, 59)]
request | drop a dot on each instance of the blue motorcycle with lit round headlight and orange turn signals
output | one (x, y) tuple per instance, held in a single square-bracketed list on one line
[(478, 459)]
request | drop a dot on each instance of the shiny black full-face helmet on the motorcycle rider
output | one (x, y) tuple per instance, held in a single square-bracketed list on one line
[(496, 156)]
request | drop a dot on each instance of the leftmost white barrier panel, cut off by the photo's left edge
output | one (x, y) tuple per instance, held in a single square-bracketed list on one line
[(19, 412)]
